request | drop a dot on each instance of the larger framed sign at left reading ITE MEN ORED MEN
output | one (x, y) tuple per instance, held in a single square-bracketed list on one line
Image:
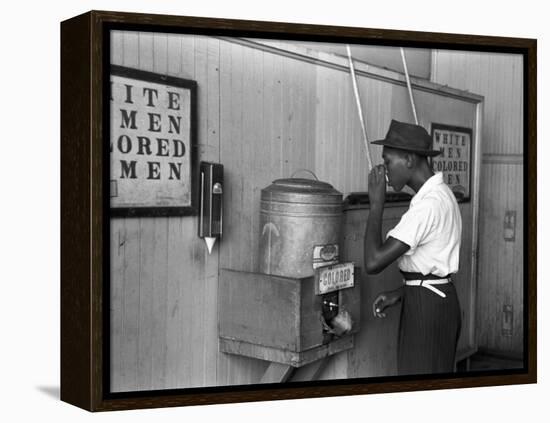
[(152, 143)]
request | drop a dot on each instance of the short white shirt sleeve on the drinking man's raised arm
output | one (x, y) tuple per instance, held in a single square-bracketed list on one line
[(415, 225)]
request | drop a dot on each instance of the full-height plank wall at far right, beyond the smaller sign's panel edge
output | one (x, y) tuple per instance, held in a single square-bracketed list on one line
[(498, 77)]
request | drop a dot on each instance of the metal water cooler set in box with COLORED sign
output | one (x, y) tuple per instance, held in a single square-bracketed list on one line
[(288, 312)]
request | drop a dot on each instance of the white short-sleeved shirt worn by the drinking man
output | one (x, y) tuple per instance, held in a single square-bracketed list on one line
[(432, 227)]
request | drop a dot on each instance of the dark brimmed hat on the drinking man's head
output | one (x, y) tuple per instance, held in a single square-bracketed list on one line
[(408, 137)]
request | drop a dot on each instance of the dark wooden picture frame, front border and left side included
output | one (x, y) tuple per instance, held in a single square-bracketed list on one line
[(82, 382)]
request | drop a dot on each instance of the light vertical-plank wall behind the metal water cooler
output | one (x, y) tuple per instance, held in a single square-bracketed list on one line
[(264, 114)]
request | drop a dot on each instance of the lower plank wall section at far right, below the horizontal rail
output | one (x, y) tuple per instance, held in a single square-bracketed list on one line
[(501, 262)]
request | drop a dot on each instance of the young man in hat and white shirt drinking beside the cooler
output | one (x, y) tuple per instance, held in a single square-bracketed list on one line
[(426, 245)]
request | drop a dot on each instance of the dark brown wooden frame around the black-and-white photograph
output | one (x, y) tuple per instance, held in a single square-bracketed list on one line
[(85, 229)]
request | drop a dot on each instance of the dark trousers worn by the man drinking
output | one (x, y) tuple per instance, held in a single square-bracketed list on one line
[(429, 329)]
